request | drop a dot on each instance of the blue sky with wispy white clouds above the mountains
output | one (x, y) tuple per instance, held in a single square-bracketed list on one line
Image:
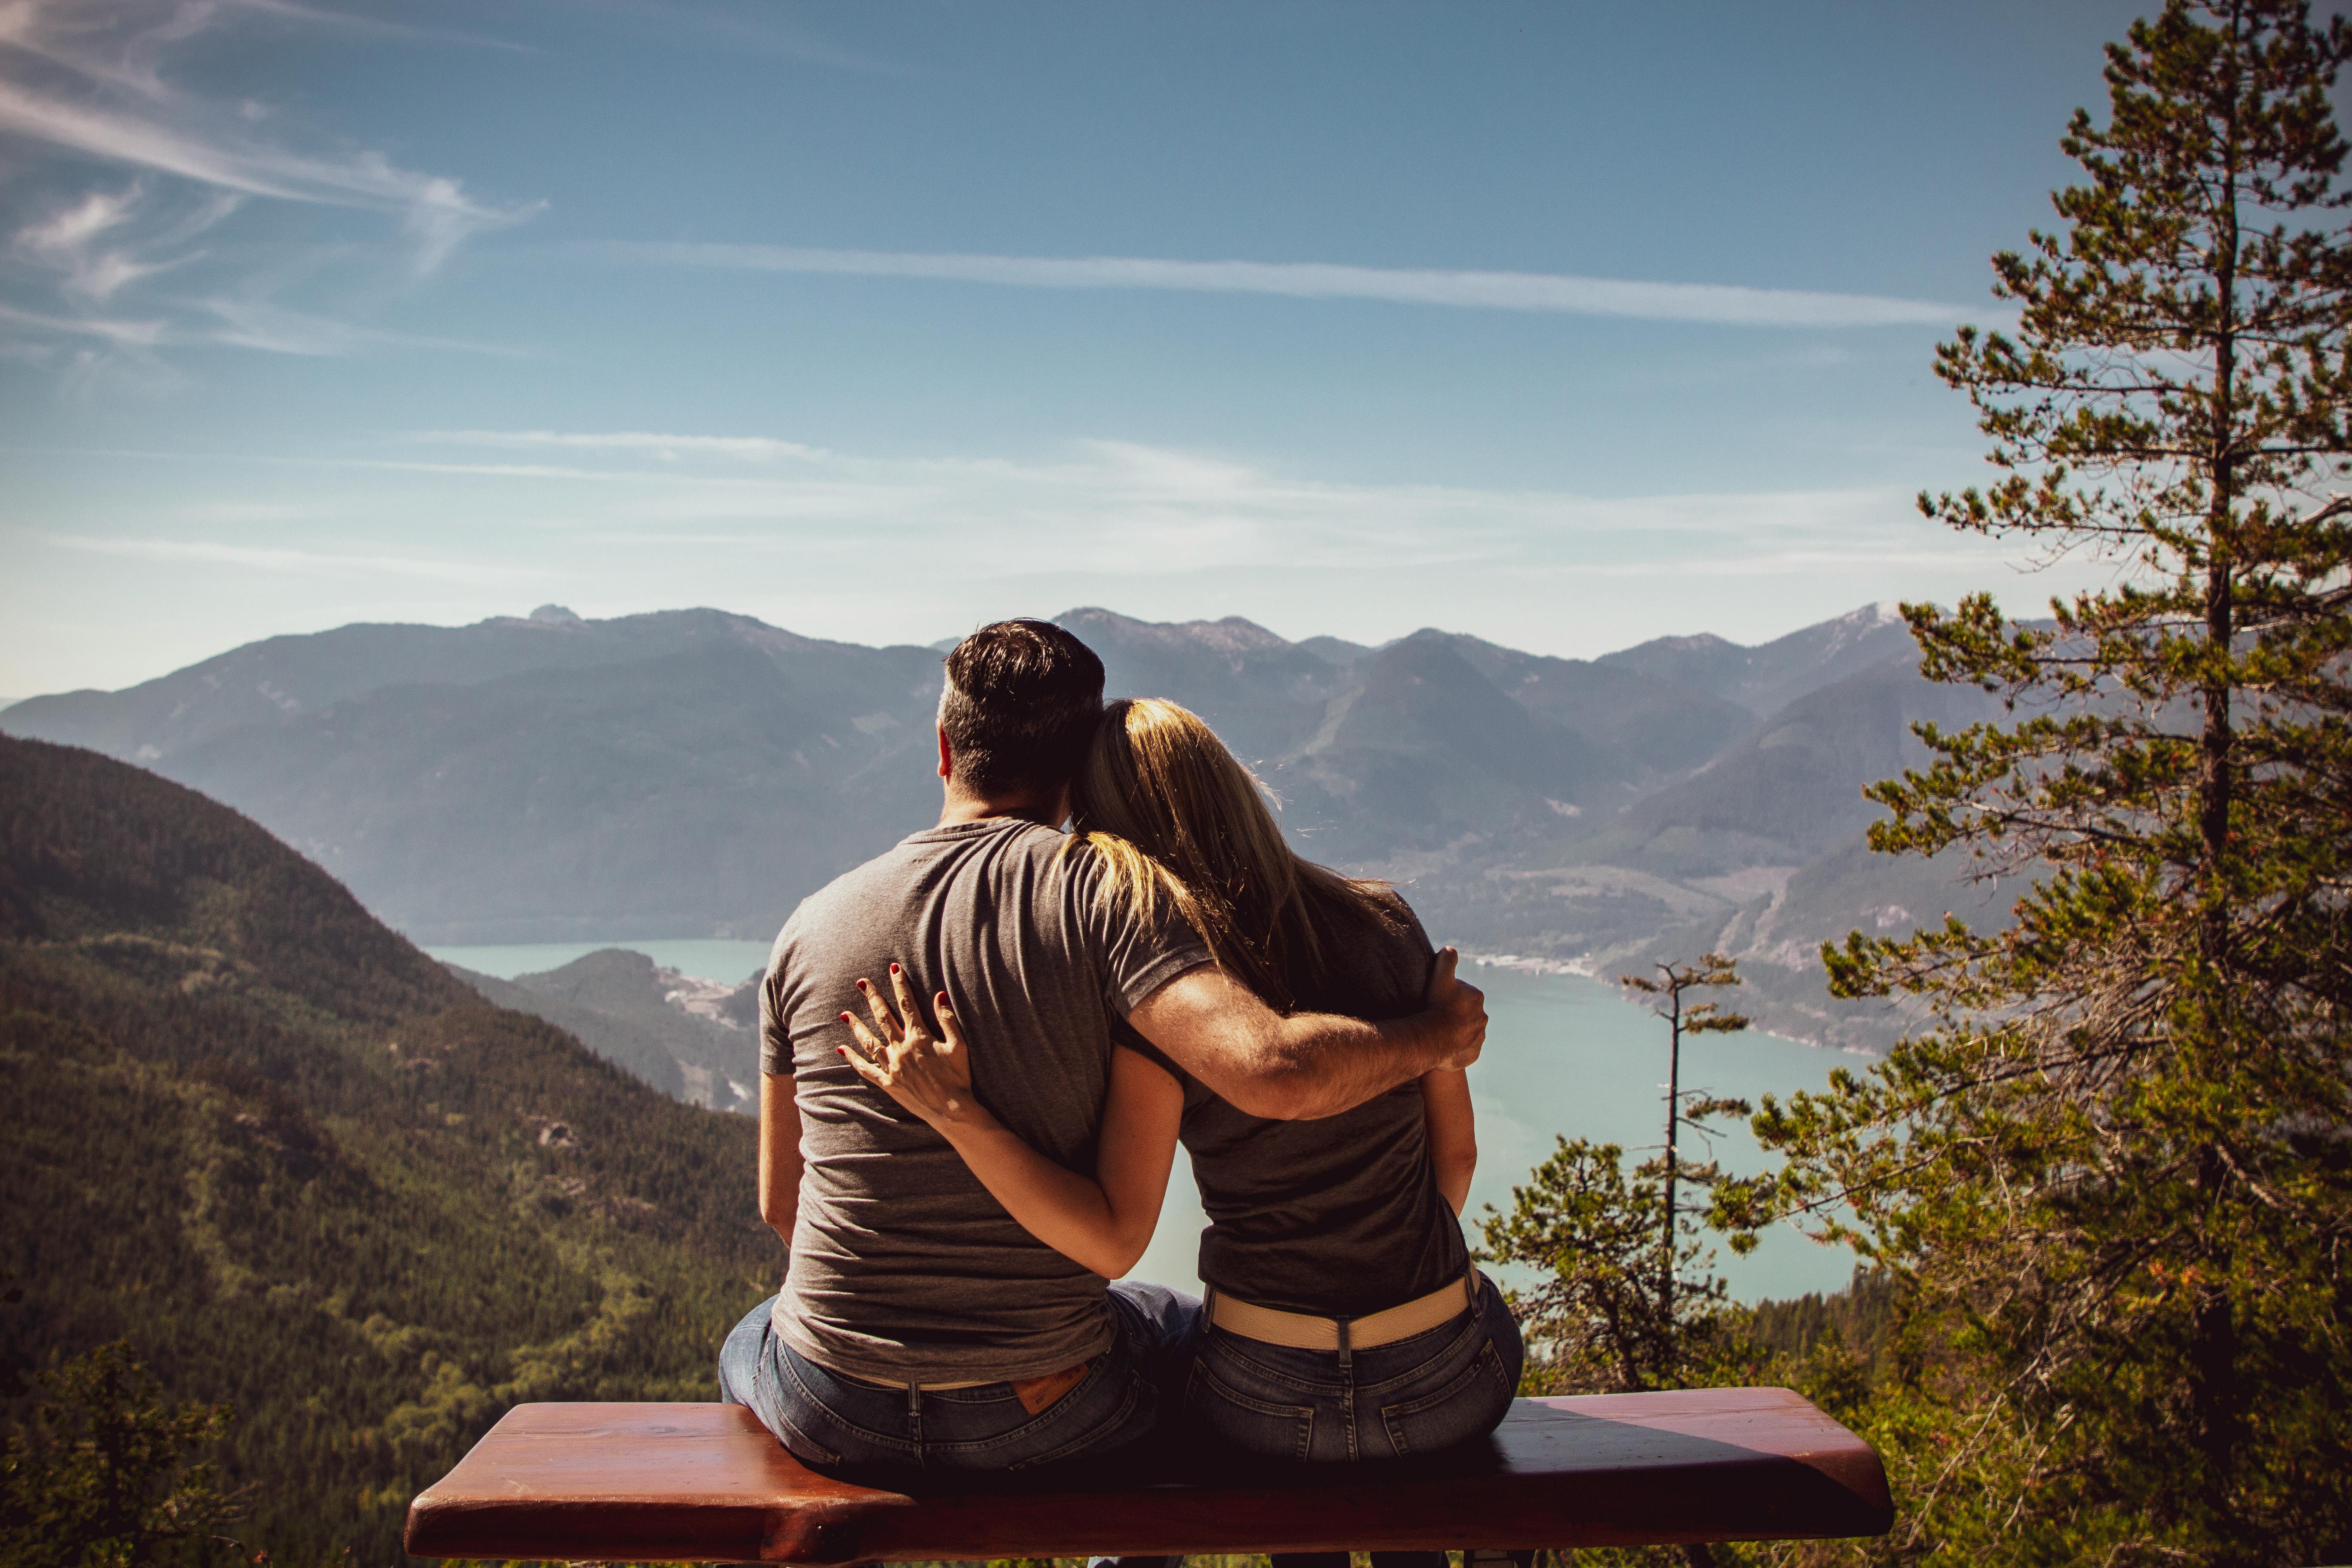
[(1565, 326)]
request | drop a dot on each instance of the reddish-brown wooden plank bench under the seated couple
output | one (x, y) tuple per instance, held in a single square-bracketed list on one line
[(709, 1482)]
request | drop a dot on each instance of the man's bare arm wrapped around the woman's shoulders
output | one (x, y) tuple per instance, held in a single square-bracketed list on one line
[(1311, 1064)]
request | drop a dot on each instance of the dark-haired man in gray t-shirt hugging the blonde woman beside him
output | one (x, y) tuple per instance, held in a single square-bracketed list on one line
[(918, 1322)]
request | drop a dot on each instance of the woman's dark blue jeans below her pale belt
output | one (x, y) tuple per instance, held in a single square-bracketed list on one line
[(1417, 1395)]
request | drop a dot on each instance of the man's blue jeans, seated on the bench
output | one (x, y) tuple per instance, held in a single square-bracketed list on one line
[(843, 1423)]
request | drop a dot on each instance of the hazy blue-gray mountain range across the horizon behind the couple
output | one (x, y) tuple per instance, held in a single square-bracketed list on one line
[(700, 772)]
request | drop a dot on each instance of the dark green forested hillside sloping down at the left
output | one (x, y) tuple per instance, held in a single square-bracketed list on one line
[(307, 1172)]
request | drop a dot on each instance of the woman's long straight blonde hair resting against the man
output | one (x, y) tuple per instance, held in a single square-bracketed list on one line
[(1182, 824)]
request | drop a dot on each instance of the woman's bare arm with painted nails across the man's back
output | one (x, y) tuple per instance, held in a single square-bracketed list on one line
[(1104, 1221)]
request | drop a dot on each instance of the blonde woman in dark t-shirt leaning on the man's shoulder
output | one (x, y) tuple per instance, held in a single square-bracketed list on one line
[(1344, 1318)]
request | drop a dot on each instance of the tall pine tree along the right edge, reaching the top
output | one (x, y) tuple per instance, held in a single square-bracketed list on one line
[(2116, 1170)]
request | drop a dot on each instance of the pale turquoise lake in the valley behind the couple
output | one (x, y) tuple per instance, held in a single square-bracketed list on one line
[(1565, 1057)]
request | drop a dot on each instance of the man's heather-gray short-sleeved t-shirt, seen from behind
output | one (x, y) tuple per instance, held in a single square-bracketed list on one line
[(904, 1268)]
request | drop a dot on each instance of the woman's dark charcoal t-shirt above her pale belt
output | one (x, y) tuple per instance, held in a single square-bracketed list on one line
[(1337, 1217)]
